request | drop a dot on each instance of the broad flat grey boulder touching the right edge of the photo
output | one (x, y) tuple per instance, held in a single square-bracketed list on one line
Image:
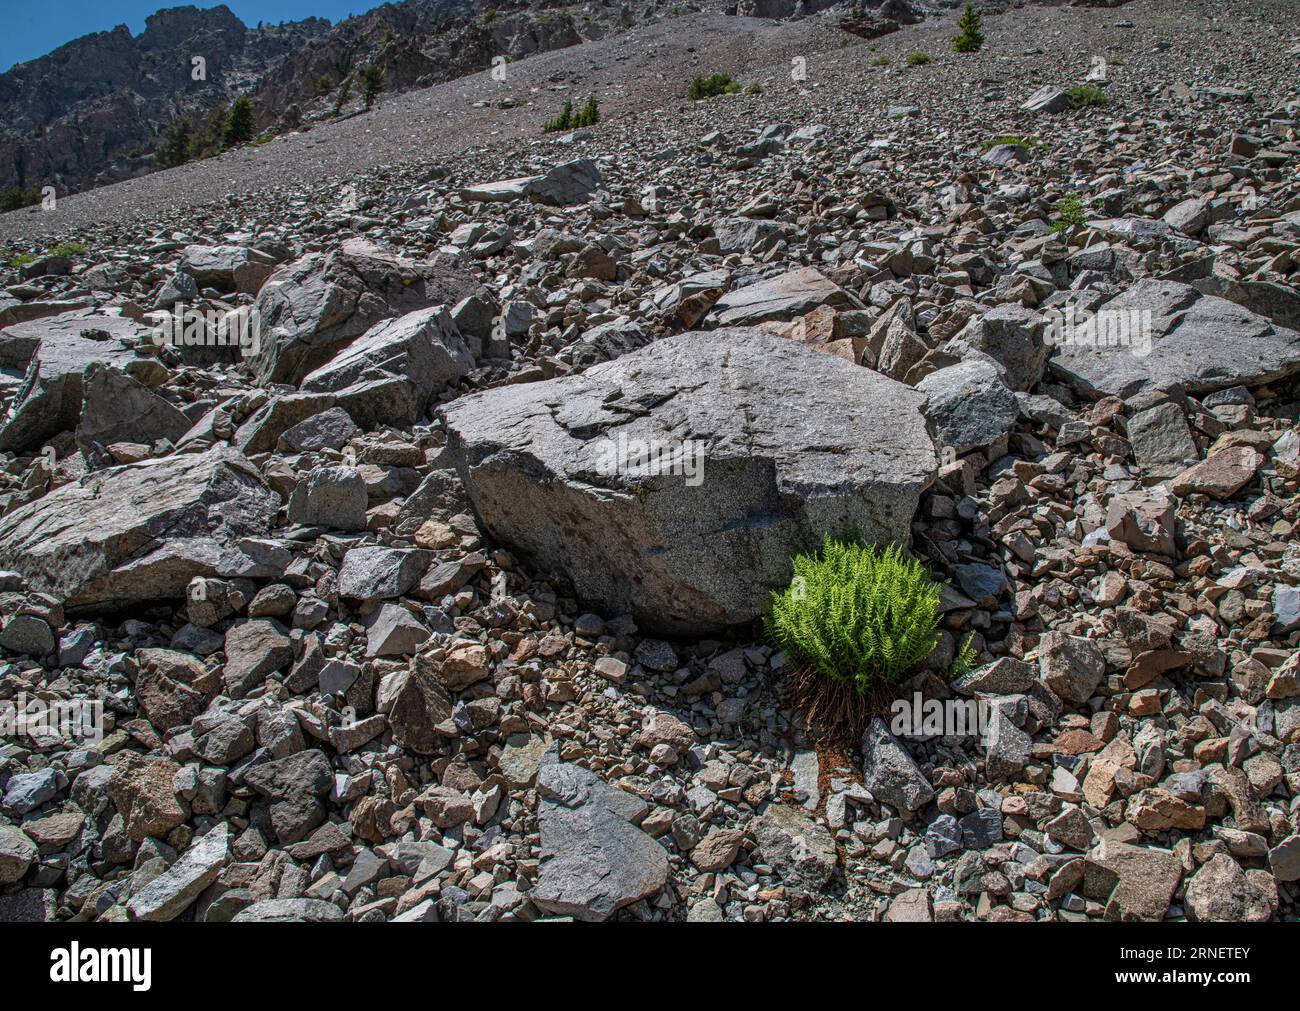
[(1201, 341)]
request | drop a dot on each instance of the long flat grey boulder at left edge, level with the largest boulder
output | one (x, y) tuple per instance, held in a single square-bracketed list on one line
[(137, 533)]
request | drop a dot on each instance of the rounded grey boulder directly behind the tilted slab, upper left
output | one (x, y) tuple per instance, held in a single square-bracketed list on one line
[(314, 307)]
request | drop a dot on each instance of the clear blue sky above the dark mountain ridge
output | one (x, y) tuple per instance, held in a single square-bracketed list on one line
[(34, 29)]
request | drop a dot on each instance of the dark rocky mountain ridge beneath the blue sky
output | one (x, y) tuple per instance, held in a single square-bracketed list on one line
[(93, 111)]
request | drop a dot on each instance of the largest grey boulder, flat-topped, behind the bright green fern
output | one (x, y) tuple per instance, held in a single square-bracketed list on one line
[(677, 481)]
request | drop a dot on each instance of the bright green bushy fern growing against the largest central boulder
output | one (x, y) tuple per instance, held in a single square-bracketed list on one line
[(857, 615)]
